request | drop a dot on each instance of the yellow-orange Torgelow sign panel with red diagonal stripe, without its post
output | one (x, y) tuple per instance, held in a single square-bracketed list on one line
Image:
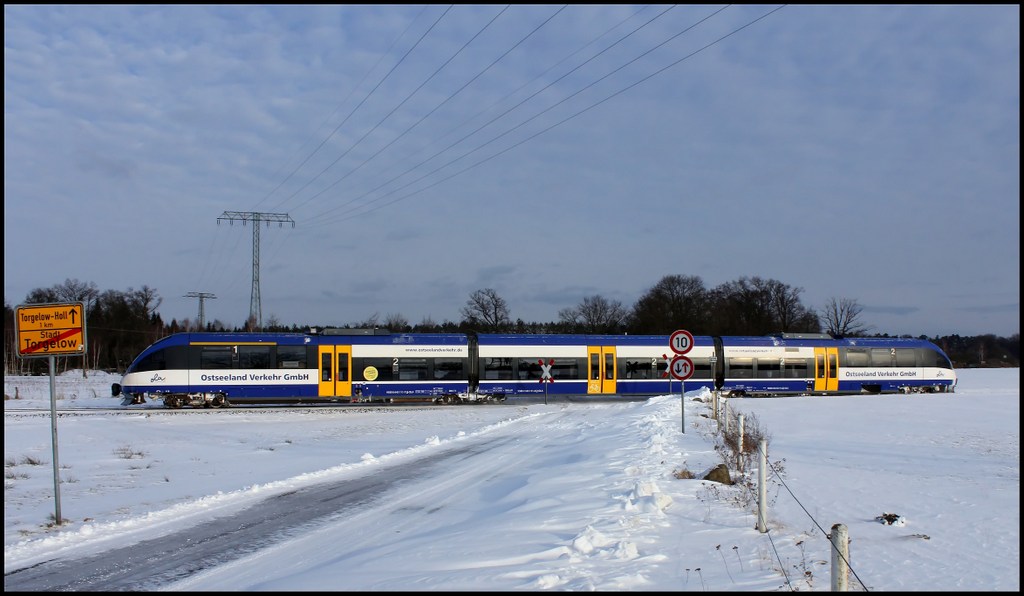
[(51, 330)]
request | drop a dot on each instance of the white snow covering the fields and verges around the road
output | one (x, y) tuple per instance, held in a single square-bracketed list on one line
[(568, 496)]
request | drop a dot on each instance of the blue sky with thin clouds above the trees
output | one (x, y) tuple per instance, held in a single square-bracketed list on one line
[(403, 157)]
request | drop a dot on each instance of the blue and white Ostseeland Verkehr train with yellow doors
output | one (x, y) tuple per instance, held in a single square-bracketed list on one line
[(371, 366)]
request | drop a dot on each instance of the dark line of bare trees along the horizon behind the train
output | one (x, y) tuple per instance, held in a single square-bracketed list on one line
[(122, 324)]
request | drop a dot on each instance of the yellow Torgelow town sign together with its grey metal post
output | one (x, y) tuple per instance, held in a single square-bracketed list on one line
[(49, 331)]
